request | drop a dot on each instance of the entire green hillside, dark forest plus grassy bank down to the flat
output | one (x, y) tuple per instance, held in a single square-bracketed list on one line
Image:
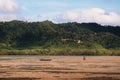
[(47, 38)]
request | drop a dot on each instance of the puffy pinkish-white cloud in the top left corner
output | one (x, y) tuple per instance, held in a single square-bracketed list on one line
[(8, 5)]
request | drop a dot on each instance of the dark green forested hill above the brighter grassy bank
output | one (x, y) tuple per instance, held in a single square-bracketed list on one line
[(17, 34)]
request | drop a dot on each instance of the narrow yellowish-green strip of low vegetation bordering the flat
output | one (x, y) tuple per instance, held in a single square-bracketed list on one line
[(60, 52)]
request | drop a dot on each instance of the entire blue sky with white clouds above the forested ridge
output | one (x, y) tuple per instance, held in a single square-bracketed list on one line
[(105, 12)]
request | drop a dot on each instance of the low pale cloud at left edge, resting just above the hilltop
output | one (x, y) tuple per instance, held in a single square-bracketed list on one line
[(7, 17)]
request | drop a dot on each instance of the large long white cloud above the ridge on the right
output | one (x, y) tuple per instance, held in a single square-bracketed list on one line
[(97, 15)]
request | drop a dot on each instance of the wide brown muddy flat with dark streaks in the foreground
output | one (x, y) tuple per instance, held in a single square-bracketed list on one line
[(59, 68)]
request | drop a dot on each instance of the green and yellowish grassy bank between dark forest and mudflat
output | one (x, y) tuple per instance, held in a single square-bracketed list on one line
[(60, 49)]
